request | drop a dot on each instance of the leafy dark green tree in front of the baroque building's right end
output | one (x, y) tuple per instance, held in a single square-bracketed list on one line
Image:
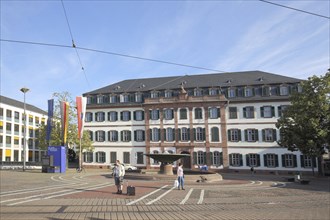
[(305, 124)]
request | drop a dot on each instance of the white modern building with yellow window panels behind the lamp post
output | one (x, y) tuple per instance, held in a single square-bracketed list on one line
[(12, 130)]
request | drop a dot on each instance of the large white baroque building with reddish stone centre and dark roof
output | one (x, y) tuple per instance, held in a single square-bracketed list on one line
[(223, 120)]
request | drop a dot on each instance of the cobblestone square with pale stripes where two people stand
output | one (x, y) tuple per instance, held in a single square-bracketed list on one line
[(91, 195)]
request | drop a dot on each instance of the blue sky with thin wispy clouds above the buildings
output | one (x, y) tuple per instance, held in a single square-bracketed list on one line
[(221, 35)]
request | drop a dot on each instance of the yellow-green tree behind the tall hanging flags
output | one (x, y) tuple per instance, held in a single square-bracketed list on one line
[(72, 136)]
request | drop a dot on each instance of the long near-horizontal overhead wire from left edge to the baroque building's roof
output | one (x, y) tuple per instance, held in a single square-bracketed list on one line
[(112, 53)]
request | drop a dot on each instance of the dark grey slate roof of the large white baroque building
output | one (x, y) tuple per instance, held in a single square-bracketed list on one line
[(194, 81)]
